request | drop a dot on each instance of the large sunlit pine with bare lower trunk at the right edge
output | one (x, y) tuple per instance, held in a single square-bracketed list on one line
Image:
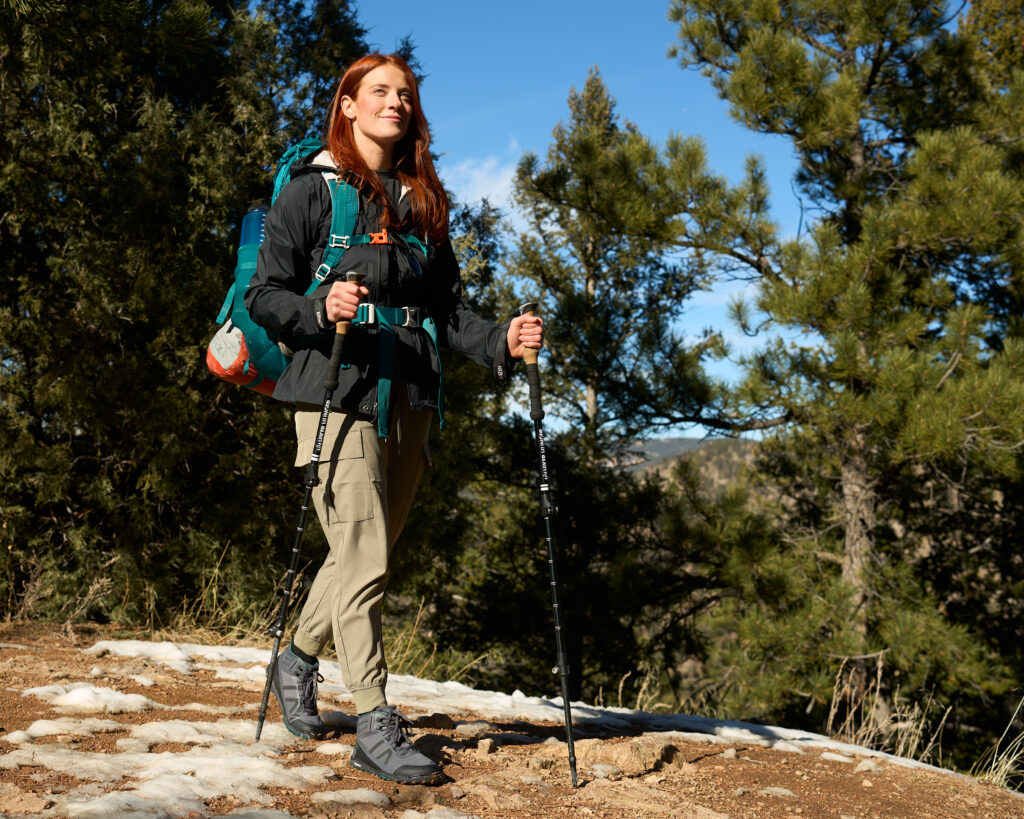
[(908, 377)]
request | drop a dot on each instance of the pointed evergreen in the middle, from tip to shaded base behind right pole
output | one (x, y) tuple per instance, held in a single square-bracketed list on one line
[(615, 368)]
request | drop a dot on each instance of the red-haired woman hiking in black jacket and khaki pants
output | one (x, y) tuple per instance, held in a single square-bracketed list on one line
[(375, 451)]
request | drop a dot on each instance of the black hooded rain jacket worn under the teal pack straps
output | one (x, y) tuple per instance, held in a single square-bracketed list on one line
[(297, 231)]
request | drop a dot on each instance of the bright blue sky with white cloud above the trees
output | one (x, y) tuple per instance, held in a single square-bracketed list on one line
[(498, 77)]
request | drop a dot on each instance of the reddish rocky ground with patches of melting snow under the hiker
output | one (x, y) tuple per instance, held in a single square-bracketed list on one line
[(102, 764)]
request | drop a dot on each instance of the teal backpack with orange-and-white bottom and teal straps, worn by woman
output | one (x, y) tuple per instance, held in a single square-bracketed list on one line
[(242, 352)]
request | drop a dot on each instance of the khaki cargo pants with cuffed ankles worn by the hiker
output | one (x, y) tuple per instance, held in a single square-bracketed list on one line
[(366, 491)]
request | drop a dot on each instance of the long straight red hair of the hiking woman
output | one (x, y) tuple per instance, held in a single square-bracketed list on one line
[(413, 164)]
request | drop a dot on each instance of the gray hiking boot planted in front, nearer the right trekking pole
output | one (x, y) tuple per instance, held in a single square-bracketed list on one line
[(383, 750)]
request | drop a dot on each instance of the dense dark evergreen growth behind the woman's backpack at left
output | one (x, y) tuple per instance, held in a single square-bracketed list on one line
[(135, 135)]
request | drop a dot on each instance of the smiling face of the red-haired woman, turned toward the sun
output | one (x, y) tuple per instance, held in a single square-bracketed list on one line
[(381, 111)]
